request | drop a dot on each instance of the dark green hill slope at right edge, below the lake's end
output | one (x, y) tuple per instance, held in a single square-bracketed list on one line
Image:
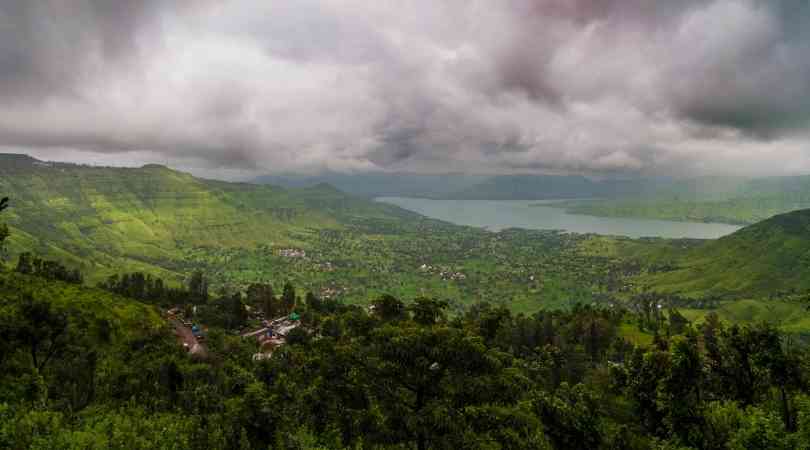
[(766, 258)]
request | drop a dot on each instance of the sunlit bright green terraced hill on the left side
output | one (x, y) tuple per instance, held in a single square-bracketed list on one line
[(107, 220)]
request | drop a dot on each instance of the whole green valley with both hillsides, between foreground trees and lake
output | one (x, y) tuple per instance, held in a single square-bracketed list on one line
[(107, 221)]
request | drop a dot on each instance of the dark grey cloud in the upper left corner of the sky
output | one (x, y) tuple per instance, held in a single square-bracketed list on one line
[(48, 46)]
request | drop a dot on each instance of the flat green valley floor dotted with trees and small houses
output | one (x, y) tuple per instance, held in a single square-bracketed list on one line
[(526, 270)]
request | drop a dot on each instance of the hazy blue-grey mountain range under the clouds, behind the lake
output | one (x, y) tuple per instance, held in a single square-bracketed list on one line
[(538, 186)]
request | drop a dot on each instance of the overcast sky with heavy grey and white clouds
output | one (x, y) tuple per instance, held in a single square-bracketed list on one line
[(229, 87)]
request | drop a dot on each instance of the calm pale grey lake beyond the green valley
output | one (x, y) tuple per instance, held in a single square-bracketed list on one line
[(497, 215)]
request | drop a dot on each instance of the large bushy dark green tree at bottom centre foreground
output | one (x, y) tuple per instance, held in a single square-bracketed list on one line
[(438, 388)]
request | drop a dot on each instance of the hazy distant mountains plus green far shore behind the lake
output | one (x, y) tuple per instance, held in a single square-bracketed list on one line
[(725, 199)]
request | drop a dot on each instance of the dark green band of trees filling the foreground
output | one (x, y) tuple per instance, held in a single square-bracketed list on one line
[(402, 375)]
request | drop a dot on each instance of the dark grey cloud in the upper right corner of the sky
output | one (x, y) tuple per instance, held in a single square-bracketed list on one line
[(746, 66)]
